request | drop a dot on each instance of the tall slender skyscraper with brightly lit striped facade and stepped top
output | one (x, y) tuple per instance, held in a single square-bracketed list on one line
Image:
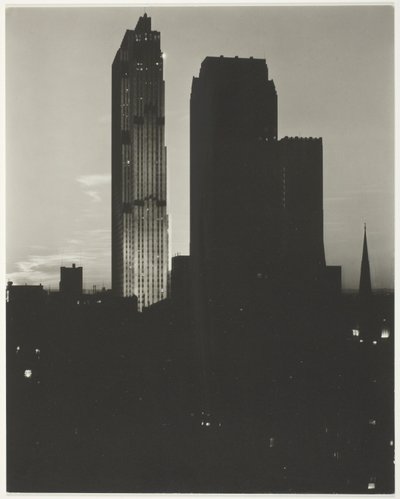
[(139, 178)]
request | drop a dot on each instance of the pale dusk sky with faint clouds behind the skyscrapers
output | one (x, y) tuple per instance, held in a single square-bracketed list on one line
[(333, 71)]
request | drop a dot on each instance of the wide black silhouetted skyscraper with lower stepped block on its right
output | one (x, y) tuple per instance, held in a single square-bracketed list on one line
[(256, 201)]
